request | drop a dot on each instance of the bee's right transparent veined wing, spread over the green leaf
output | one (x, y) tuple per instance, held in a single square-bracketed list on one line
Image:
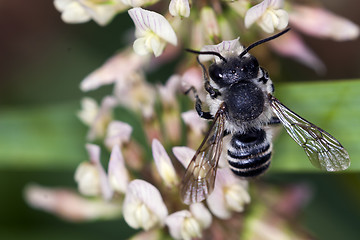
[(323, 150)]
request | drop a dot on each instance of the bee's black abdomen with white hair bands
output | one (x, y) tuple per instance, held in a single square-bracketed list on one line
[(249, 154)]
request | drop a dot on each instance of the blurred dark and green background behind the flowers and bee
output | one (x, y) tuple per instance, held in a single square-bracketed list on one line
[(42, 63)]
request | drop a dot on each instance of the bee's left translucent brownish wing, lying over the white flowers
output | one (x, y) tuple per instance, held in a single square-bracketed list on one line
[(199, 178)]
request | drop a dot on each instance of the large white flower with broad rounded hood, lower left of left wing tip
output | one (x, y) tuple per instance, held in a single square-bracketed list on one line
[(143, 206)]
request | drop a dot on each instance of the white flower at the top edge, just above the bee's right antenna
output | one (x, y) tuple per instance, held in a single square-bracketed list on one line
[(268, 15)]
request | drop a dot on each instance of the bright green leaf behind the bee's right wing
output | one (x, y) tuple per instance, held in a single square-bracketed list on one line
[(331, 105)]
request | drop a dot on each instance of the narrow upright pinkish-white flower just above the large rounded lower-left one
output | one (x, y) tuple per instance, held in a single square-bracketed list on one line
[(117, 172)]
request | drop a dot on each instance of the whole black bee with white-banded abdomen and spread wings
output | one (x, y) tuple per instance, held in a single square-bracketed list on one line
[(243, 109)]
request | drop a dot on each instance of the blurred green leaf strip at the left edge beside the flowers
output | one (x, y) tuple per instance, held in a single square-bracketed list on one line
[(41, 137)]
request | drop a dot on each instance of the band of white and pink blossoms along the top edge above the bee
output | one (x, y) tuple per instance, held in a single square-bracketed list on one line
[(222, 20)]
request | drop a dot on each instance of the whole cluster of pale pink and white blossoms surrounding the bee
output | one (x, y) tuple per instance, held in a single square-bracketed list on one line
[(143, 187)]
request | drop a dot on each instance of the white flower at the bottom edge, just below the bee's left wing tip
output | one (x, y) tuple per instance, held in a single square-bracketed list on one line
[(189, 224)]
